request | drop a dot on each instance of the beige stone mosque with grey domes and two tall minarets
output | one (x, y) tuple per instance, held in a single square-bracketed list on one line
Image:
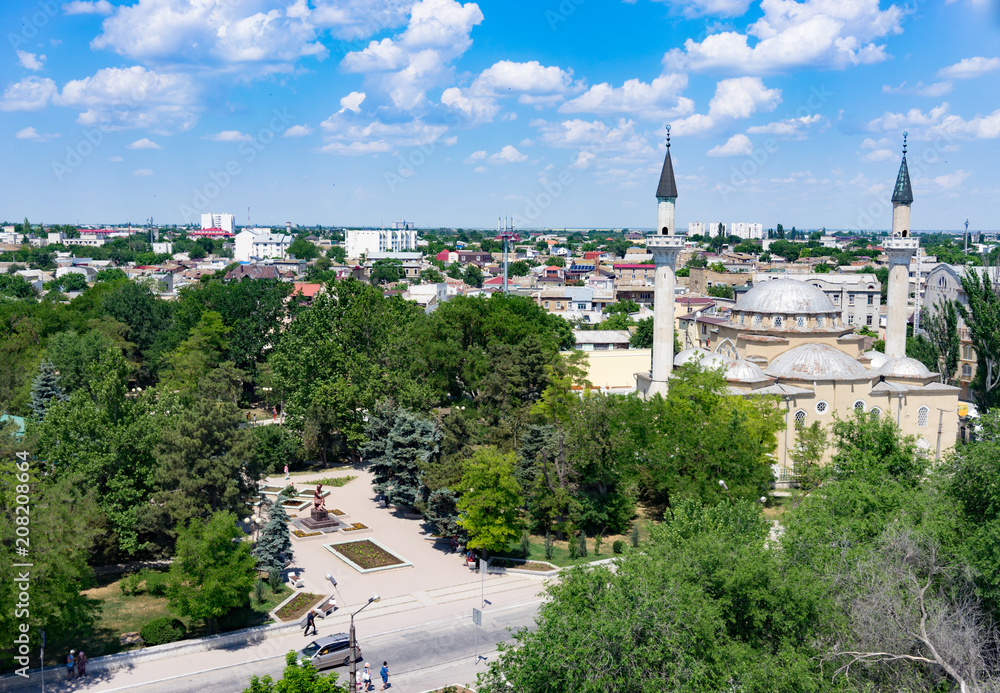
[(786, 338)]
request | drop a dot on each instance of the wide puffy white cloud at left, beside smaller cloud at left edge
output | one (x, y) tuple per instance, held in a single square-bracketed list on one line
[(132, 97)]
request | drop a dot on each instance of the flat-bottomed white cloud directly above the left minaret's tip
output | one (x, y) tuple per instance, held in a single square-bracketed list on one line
[(657, 100)]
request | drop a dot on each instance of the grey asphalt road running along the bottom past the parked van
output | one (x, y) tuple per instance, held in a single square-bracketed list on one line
[(419, 658)]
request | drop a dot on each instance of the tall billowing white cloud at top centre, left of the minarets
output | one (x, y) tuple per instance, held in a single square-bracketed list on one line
[(404, 67)]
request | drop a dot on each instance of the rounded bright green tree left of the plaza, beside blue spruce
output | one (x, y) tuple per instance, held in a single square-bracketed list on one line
[(213, 570)]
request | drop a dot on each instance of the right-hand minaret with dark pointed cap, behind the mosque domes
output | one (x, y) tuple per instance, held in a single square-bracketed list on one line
[(899, 248)]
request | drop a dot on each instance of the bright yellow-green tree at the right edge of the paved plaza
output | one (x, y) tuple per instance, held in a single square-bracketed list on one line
[(491, 500)]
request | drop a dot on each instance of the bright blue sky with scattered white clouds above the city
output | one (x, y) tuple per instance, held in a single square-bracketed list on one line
[(361, 112)]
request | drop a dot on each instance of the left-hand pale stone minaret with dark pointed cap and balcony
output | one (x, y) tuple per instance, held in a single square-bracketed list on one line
[(665, 247)]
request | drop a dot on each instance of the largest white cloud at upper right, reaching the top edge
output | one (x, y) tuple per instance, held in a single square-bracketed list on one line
[(820, 33)]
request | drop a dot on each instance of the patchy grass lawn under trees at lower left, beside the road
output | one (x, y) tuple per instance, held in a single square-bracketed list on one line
[(121, 613)]
